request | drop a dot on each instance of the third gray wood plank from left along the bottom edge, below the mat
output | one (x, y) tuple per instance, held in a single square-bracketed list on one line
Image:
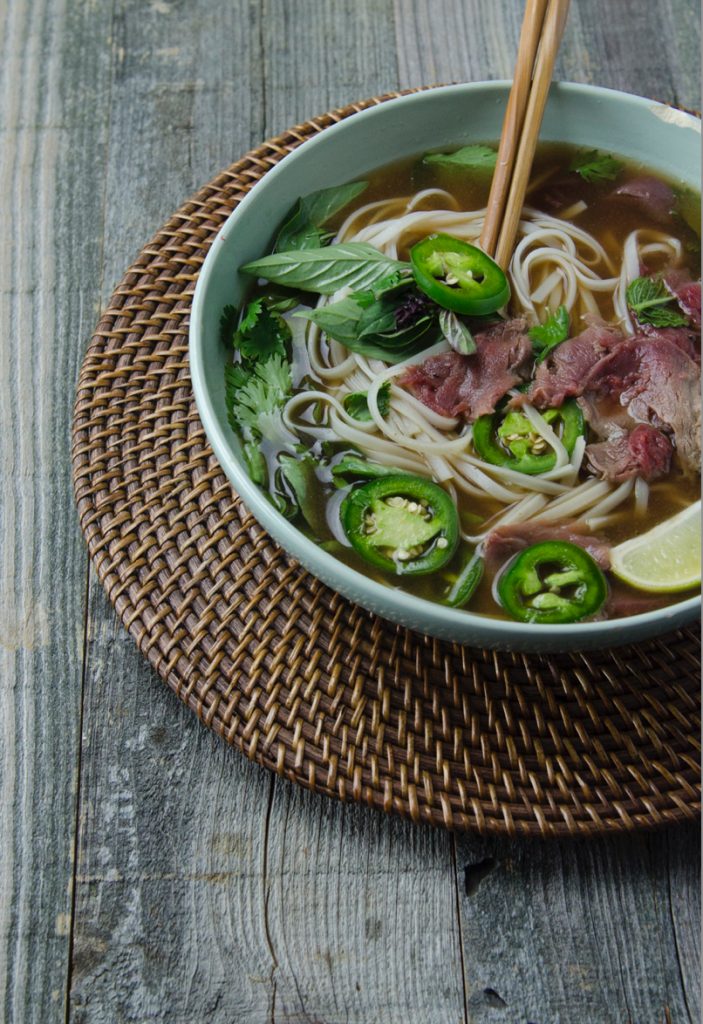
[(362, 915)]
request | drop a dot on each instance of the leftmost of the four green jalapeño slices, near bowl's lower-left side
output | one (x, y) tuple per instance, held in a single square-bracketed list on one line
[(403, 525)]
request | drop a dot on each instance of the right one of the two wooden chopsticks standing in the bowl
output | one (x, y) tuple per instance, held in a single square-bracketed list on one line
[(553, 30)]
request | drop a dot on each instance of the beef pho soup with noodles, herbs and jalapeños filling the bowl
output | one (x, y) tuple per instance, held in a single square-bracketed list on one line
[(482, 440)]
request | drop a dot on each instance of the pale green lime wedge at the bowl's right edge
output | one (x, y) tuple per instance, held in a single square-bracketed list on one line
[(665, 560)]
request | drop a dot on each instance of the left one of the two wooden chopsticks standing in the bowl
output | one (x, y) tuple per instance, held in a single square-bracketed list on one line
[(513, 122)]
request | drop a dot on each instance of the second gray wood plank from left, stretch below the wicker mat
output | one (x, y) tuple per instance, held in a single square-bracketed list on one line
[(171, 871)]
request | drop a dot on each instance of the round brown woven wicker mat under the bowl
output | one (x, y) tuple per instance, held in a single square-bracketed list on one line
[(299, 679)]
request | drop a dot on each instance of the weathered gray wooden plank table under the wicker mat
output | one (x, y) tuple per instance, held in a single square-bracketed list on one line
[(148, 873)]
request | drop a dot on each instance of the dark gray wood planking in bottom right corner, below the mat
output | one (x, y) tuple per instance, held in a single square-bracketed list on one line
[(565, 932)]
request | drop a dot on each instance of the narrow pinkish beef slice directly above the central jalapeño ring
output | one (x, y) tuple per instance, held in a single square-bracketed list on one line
[(566, 371)]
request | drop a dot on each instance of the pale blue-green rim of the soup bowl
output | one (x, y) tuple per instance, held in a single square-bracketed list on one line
[(437, 620)]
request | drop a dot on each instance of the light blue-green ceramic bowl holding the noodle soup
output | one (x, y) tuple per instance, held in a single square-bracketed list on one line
[(666, 140)]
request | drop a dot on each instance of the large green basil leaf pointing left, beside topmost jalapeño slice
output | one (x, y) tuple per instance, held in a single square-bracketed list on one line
[(350, 265)]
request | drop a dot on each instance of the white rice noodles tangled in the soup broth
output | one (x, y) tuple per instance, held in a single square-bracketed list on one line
[(555, 263)]
